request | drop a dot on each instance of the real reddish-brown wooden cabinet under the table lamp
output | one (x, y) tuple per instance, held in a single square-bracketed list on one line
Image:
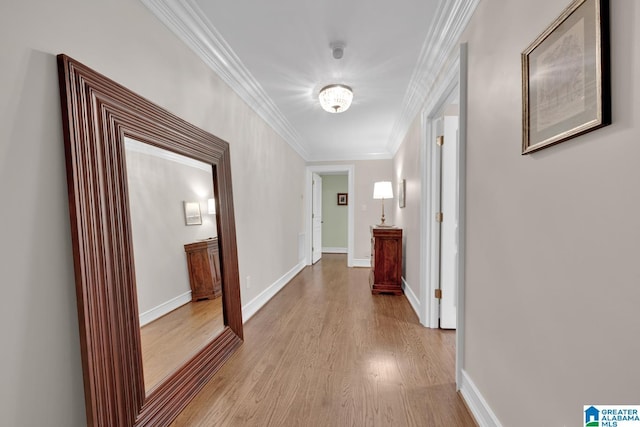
[(386, 260)]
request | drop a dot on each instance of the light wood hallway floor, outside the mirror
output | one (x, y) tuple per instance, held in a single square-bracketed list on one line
[(325, 352)]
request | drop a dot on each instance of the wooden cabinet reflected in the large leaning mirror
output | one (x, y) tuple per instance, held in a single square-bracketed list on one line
[(203, 263)]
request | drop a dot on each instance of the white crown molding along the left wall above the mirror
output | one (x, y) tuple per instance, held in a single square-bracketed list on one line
[(187, 21)]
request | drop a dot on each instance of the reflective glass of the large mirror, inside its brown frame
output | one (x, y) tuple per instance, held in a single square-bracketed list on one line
[(176, 258)]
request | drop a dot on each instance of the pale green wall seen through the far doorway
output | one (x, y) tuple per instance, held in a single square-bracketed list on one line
[(334, 216)]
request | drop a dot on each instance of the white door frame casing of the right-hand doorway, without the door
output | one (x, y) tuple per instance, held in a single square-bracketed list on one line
[(455, 75)]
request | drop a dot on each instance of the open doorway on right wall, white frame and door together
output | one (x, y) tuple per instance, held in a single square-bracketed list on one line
[(444, 195)]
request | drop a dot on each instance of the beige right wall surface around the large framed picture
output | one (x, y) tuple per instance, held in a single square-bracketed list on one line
[(553, 238)]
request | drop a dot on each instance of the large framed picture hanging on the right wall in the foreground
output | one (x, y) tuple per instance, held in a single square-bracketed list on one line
[(566, 88)]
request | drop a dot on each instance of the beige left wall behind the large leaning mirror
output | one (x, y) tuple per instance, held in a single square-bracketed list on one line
[(40, 362)]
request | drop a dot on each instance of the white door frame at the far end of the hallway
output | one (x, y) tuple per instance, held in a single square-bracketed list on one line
[(349, 170)]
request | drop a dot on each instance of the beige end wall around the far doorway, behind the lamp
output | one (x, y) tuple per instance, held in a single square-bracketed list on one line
[(367, 210)]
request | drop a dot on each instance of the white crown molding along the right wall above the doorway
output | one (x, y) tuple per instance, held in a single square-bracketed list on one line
[(449, 22)]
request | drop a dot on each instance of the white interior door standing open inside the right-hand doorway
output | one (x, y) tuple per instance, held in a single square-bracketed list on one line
[(449, 225)]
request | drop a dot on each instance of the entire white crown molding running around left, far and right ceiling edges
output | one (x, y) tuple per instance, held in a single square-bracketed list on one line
[(188, 22)]
